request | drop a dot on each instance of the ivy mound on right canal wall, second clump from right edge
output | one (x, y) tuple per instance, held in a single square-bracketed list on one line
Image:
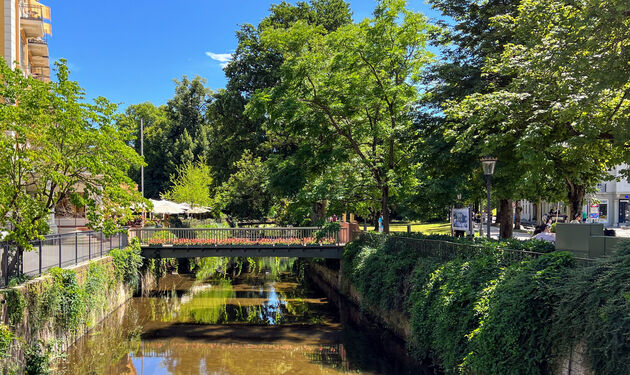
[(516, 310)]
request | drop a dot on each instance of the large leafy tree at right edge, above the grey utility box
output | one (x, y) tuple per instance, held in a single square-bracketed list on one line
[(564, 114)]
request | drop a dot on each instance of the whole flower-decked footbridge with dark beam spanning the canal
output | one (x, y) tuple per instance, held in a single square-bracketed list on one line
[(293, 242)]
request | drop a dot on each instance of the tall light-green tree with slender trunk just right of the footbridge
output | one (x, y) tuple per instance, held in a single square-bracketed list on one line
[(358, 83)]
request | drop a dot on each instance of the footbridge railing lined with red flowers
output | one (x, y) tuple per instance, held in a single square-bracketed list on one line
[(234, 236)]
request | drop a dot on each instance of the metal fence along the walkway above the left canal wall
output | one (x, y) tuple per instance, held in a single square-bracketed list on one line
[(59, 250)]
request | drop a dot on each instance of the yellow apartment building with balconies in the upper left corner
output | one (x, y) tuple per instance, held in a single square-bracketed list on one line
[(25, 26)]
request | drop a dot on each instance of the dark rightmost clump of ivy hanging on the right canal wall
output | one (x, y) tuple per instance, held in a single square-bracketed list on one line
[(594, 310)]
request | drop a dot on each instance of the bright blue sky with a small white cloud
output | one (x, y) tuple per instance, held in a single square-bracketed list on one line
[(130, 51)]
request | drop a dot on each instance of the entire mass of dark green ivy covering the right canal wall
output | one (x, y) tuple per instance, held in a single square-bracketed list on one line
[(479, 314)]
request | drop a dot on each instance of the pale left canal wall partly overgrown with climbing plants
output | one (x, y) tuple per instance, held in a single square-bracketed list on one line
[(41, 318)]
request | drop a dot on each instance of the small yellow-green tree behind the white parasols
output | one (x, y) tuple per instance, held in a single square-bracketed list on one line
[(191, 184)]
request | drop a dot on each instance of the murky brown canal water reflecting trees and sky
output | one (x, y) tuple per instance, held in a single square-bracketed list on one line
[(265, 322)]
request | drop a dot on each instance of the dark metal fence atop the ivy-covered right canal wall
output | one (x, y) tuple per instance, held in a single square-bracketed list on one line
[(446, 250)]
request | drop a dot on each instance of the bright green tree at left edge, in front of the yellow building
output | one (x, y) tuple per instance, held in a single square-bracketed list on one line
[(54, 146)]
